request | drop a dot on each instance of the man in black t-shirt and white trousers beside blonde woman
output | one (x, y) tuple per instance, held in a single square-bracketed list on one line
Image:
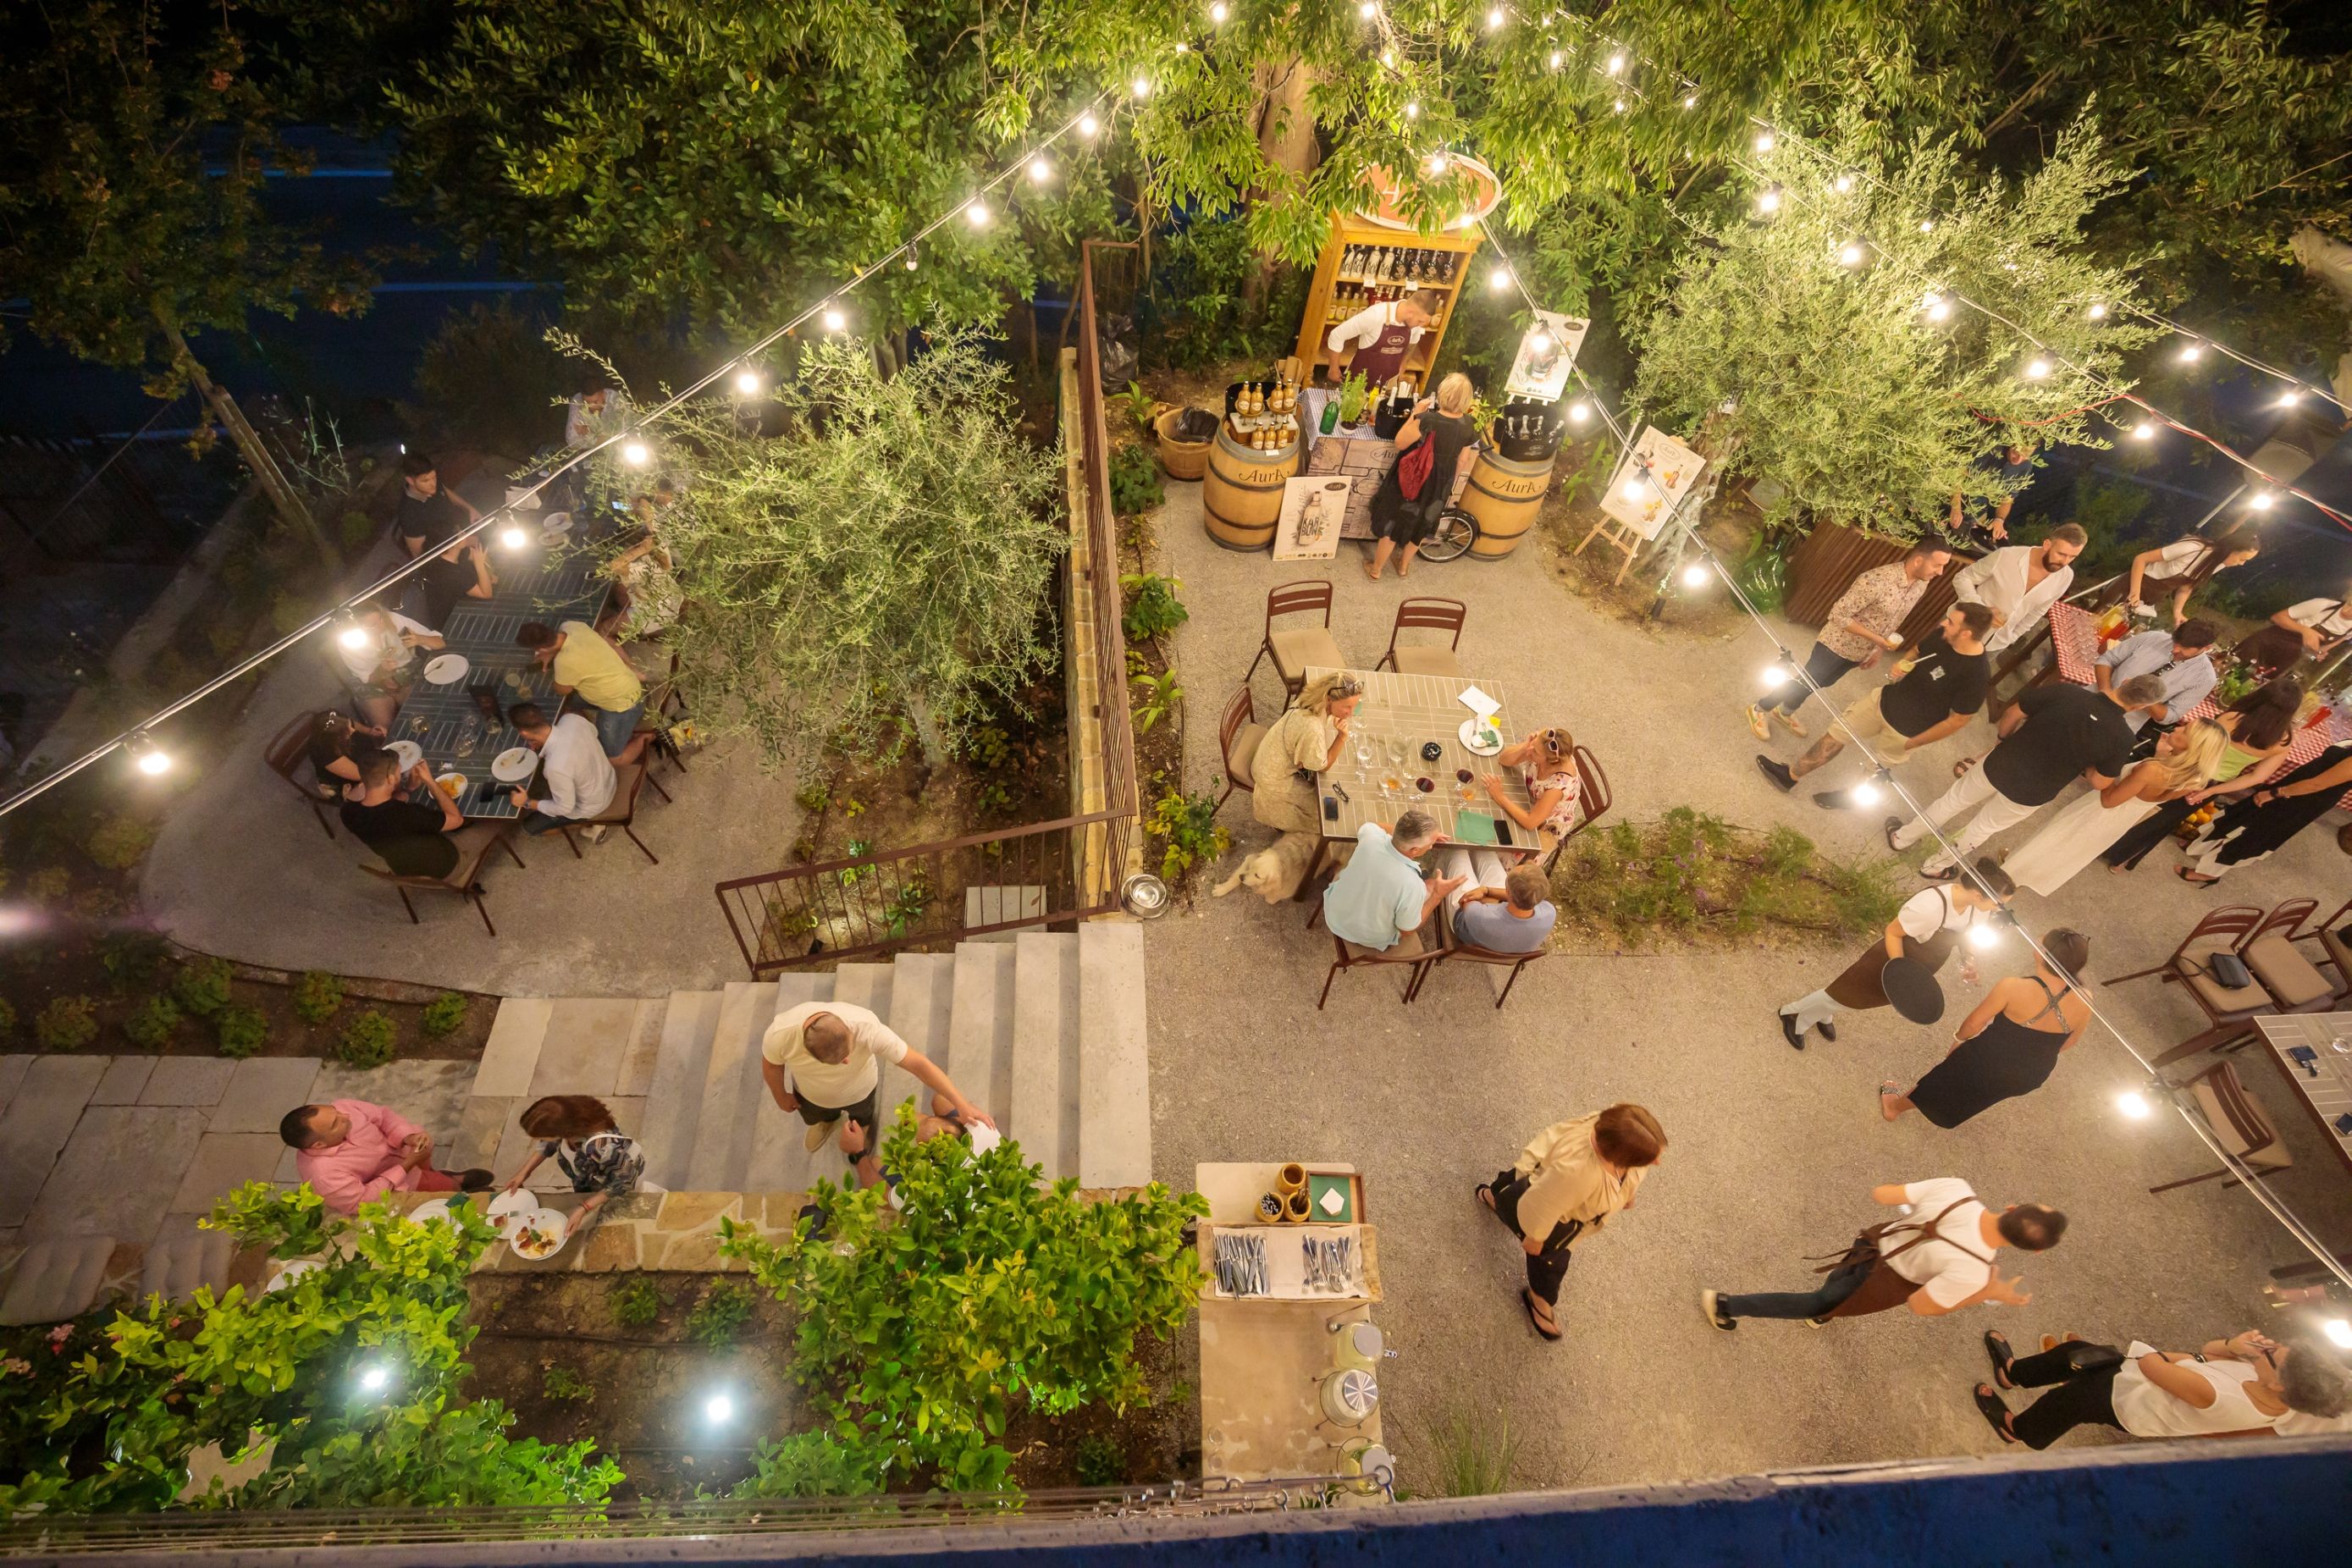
[(2050, 739)]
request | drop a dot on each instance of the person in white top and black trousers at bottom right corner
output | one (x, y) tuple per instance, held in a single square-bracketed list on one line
[(2245, 1386)]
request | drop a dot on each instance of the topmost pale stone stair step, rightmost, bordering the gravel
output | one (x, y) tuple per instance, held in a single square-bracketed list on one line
[(1114, 1064)]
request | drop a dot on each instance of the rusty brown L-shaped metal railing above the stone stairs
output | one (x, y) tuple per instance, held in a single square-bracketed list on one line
[(1008, 878)]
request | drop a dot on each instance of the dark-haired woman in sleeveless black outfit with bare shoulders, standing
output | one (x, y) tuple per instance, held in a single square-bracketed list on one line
[(2010, 1045)]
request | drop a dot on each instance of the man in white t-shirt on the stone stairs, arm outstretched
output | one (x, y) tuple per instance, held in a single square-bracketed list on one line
[(824, 1061)]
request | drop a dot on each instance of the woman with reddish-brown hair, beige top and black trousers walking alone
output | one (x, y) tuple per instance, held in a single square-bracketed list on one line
[(1568, 1181)]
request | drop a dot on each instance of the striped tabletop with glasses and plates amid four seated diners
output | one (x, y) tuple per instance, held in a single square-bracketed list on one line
[(1412, 711)]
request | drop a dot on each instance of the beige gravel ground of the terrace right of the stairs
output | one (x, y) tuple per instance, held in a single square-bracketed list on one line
[(1772, 1153)]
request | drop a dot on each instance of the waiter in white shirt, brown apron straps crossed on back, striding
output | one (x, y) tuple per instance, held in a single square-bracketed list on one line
[(1937, 1259)]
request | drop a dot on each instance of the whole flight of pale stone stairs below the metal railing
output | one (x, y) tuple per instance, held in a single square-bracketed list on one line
[(1043, 1031)]
